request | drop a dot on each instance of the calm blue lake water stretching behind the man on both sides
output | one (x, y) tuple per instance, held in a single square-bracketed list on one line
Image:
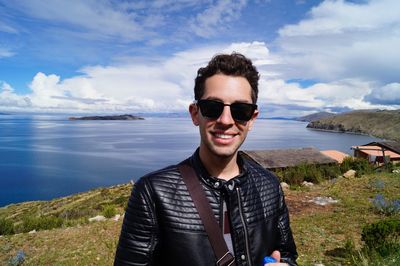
[(43, 157)]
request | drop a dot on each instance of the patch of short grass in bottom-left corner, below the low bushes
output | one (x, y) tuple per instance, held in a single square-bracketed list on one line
[(91, 244)]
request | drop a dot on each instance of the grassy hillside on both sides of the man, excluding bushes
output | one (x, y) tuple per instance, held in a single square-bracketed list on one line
[(322, 233)]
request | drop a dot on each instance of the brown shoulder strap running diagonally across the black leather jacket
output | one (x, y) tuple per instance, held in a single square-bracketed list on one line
[(196, 191)]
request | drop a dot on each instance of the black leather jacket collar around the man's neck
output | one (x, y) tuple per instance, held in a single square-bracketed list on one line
[(215, 182)]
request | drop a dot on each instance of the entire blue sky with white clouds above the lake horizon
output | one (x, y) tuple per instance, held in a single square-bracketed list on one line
[(109, 56)]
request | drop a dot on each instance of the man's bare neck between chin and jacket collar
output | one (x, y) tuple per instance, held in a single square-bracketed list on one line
[(222, 167)]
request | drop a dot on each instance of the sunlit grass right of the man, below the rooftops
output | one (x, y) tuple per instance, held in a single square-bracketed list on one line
[(321, 237)]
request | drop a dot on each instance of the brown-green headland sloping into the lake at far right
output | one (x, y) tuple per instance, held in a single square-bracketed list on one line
[(378, 123)]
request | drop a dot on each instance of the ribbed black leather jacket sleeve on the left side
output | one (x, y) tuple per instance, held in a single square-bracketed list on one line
[(138, 237)]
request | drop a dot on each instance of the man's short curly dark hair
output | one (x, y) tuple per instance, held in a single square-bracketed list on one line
[(234, 64)]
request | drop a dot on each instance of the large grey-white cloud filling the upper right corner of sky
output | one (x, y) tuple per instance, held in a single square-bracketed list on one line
[(341, 40)]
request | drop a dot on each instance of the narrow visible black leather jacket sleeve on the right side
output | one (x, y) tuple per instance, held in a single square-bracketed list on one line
[(287, 247)]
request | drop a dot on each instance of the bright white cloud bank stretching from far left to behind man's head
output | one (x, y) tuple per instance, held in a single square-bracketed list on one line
[(165, 84)]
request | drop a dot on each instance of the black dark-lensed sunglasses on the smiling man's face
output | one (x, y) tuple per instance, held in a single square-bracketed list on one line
[(213, 109)]
